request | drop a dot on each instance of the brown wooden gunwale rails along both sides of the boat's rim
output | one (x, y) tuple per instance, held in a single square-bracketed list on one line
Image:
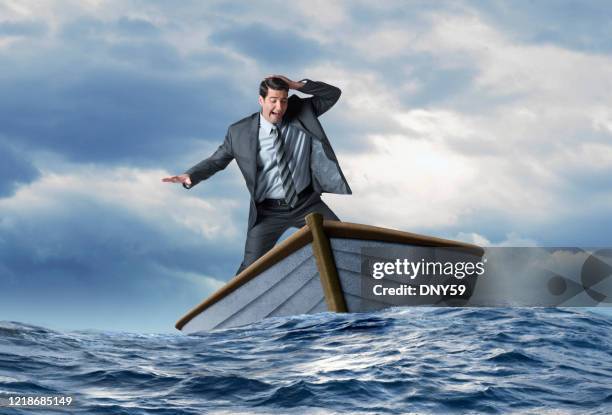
[(303, 236)]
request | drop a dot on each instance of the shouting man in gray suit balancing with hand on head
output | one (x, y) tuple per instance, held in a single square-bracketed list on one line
[(285, 158)]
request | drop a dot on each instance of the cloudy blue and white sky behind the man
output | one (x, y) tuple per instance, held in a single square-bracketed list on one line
[(489, 122)]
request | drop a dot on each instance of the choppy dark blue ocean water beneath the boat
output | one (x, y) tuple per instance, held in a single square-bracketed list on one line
[(413, 360)]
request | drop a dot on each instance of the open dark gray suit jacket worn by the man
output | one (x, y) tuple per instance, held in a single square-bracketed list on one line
[(241, 143)]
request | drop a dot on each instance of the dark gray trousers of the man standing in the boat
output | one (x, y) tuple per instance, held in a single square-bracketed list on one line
[(272, 222)]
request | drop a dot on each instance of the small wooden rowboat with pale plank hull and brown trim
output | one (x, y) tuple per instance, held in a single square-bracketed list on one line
[(317, 269)]
